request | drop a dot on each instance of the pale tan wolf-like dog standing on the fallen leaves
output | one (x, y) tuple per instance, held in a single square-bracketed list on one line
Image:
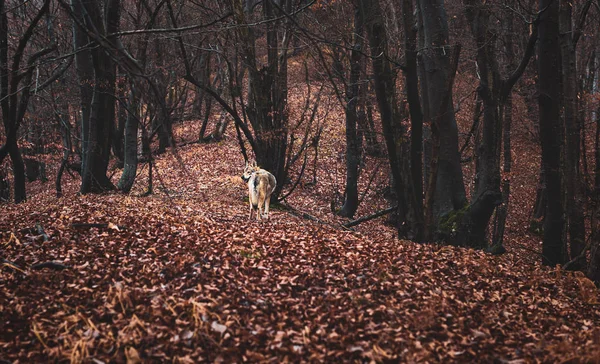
[(261, 184)]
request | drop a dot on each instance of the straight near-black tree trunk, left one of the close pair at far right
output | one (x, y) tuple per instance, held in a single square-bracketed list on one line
[(549, 86)]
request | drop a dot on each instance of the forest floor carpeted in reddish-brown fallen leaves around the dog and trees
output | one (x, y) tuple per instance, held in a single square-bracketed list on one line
[(184, 276)]
